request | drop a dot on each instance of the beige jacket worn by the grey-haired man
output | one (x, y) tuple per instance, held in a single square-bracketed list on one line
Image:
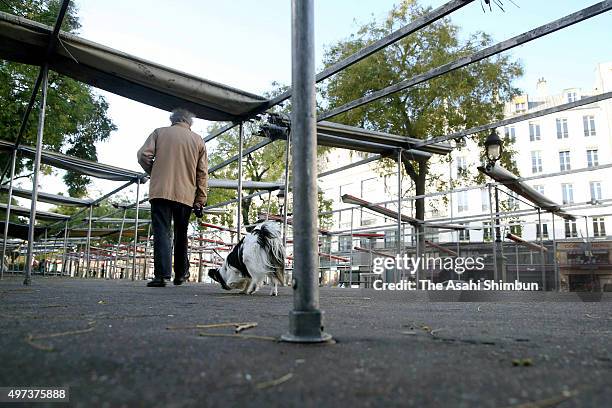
[(175, 158)]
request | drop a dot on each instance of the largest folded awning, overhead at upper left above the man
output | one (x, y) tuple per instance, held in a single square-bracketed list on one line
[(25, 41)]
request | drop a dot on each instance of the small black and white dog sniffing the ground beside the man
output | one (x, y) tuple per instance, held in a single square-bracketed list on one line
[(259, 254)]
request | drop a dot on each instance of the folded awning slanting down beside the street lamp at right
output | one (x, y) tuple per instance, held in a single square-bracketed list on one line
[(513, 182)]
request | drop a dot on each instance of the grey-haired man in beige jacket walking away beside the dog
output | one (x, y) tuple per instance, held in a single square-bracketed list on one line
[(175, 158)]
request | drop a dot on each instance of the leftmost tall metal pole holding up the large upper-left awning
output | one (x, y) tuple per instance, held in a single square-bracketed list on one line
[(39, 140)]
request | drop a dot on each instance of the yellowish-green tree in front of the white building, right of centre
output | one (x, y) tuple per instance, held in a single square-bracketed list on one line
[(471, 96)]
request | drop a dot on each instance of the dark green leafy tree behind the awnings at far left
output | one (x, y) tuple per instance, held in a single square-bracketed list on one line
[(76, 118)]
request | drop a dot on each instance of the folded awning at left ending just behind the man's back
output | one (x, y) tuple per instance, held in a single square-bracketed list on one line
[(81, 166)]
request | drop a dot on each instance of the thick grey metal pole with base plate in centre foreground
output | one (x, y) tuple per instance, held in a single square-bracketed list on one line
[(305, 320)]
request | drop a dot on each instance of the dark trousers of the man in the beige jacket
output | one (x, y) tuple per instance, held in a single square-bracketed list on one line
[(162, 214)]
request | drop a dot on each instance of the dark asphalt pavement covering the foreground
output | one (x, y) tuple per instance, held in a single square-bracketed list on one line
[(121, 344)]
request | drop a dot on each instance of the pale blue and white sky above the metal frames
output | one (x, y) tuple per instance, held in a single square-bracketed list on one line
[(247, 44)]
